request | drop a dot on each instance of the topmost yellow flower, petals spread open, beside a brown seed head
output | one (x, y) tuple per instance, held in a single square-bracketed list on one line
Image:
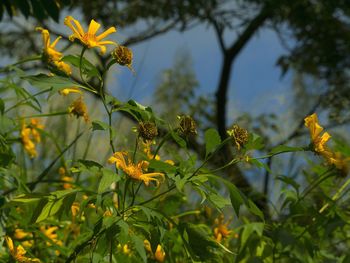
[(89, 38)]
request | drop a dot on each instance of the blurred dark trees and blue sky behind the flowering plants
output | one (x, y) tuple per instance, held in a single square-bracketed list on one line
[(261, 64)]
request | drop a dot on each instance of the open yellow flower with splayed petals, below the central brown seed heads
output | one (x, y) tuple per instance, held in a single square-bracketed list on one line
[(135, 171)]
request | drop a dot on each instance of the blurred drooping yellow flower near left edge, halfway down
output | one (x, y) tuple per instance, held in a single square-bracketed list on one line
[(30, 135)]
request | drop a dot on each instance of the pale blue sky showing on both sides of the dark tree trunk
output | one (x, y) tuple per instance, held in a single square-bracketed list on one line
[(256, 84)]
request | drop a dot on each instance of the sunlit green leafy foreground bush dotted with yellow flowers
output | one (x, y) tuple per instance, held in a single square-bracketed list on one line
[(65, 207)]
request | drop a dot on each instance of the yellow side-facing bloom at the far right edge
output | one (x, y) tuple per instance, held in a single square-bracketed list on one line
[(319, 144)]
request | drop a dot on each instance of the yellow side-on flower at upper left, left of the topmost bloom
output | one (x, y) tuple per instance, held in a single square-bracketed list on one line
[(51, 55)]
